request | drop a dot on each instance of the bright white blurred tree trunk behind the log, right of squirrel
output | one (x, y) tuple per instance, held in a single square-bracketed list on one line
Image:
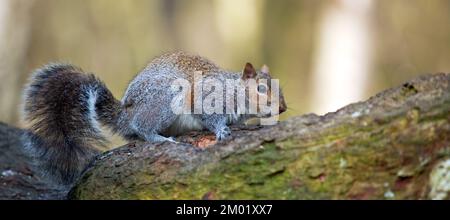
[(343, 58)]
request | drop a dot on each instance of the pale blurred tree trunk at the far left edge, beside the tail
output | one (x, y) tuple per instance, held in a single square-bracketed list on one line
[(15, 23)]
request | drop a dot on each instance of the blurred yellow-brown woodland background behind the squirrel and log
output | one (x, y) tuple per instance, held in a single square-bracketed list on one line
[(326, 53)]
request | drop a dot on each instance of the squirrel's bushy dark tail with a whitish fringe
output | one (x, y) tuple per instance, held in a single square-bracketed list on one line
[(64, 108)]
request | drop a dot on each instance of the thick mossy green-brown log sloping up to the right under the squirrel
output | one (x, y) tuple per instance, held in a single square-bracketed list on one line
[(396, 145)]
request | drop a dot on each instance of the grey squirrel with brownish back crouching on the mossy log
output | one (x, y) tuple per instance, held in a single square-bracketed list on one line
[(65, 108)]
